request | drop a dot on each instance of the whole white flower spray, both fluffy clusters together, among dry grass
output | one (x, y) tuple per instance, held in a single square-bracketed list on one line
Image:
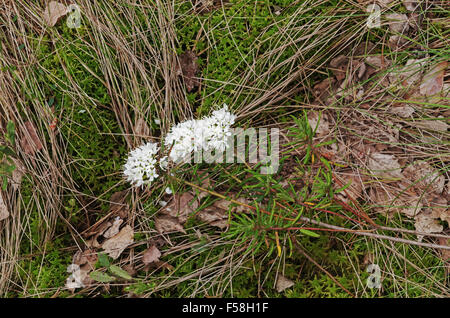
[(207, 134)]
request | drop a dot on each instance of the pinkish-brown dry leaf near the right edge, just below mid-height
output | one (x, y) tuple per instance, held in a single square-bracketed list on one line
[(423, 177)]
